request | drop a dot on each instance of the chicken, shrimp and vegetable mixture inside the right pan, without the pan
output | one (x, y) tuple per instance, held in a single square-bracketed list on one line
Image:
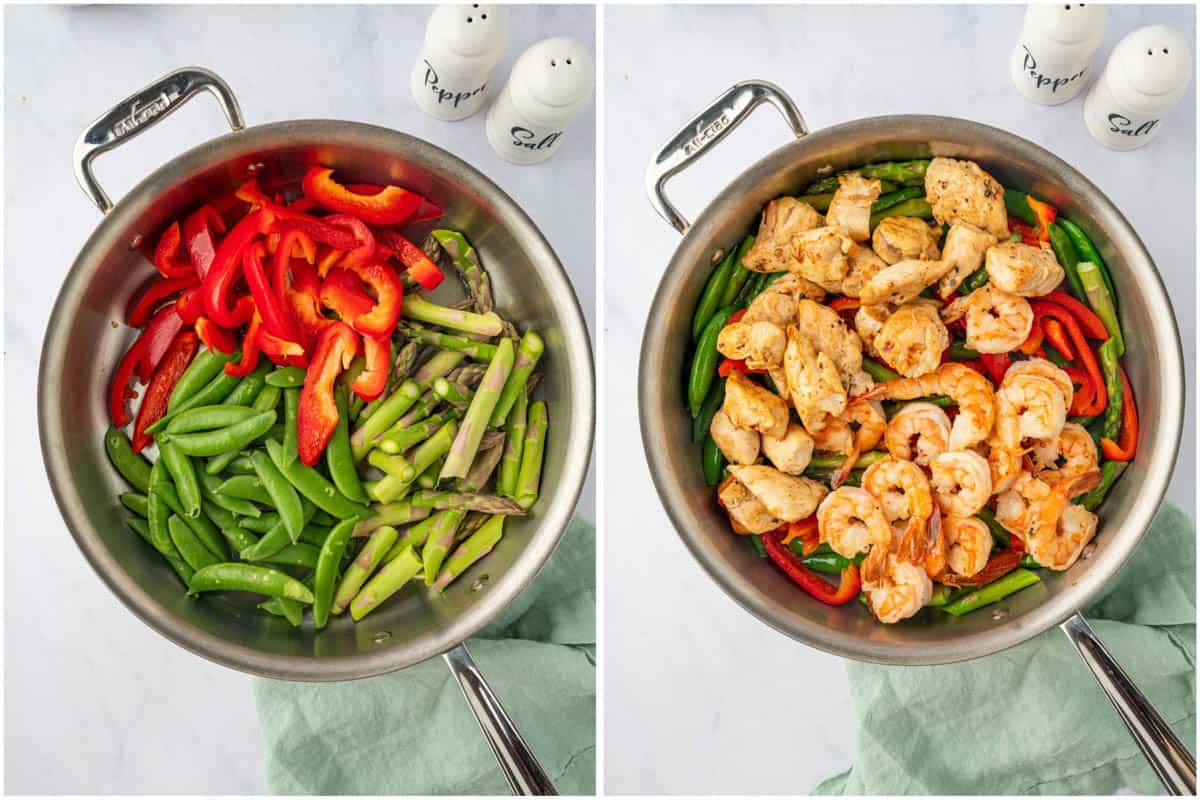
[(911, 378)]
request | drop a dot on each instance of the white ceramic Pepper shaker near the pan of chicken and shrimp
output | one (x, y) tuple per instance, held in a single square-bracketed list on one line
[(1054, 56)]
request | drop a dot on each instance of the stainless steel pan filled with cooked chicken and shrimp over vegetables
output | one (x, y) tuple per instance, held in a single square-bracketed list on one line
[(911, 388)]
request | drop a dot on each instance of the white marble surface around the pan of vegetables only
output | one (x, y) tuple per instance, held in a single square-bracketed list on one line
[(95, 702)]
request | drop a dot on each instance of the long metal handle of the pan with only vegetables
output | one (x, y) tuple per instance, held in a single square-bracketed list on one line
[(520, 766)]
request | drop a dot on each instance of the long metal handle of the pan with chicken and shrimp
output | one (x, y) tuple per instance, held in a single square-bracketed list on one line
[(1171, 760)]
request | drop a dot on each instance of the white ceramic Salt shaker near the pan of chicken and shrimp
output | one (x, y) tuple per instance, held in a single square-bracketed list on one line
[(1148, 74)]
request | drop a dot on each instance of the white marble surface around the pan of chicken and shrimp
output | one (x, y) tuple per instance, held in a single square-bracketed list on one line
[(700, 697)]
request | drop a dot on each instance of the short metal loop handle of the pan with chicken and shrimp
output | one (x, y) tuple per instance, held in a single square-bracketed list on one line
[(706, 130)]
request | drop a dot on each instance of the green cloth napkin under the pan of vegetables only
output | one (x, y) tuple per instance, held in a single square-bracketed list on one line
[(412, 733)]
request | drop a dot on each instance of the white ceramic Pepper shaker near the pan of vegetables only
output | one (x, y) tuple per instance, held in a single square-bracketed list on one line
[(454, 71)]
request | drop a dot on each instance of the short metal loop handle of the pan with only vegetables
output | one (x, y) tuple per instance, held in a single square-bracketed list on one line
[(141, 112)]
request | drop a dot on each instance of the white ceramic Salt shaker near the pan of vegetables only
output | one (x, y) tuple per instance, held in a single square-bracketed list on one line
[(551, 83)]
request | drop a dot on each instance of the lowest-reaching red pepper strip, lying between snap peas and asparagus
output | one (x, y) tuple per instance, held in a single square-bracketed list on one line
[(317, 416)]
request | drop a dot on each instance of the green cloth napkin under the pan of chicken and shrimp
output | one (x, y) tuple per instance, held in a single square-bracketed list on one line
[(1033, 720)]
